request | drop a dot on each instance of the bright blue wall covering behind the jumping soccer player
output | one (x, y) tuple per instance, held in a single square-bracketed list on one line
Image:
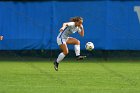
[(110, 25)]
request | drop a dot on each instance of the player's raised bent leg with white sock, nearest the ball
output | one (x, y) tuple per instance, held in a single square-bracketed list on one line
[(76, 44)]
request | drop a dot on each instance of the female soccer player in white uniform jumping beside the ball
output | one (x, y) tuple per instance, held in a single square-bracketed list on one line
[(63, 39)]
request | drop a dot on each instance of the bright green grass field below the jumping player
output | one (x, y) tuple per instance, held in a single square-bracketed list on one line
[(73, 77)]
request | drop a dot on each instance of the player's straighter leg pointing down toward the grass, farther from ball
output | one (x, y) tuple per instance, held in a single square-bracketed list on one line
[(64, 48)]
